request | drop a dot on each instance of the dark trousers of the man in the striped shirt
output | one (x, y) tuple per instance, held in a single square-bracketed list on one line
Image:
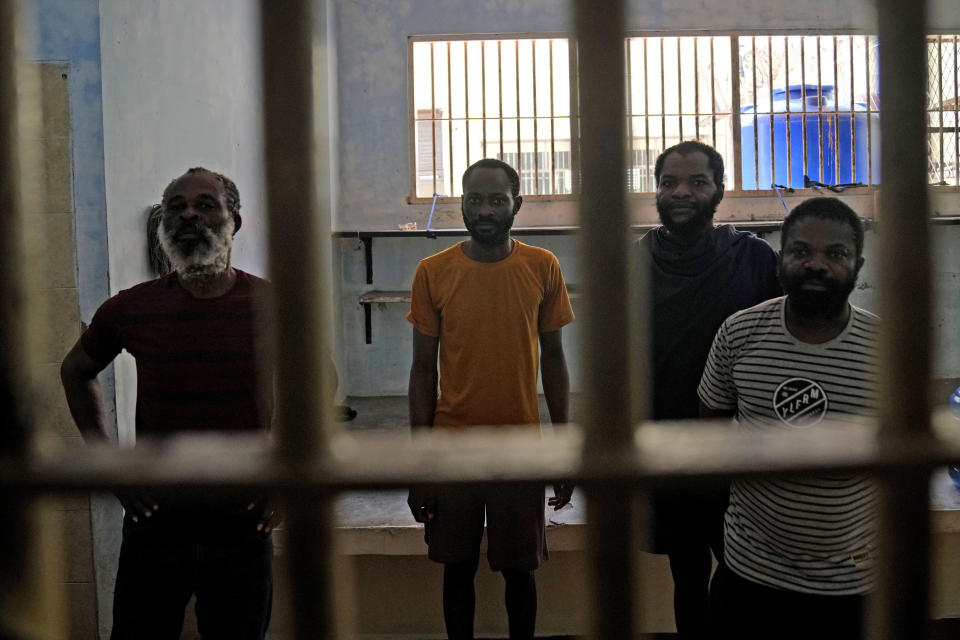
[(744, 610)]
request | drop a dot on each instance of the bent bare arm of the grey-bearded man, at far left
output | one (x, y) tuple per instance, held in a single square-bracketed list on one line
[(78, 373)]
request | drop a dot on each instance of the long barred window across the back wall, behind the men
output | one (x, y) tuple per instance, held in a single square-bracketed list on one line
[(784, 110)]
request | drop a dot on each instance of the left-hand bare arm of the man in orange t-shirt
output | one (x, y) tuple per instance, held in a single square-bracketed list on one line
[(422, 396)]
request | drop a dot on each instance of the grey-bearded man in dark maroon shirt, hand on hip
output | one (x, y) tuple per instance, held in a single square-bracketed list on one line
[(192, 333)]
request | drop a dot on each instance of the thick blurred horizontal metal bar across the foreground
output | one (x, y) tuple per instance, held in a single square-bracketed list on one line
[(662, 452)]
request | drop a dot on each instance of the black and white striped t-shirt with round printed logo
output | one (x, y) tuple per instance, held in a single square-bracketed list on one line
[(816, 533)]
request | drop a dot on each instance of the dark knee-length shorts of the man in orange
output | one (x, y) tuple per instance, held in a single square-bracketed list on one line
[(516, 528)]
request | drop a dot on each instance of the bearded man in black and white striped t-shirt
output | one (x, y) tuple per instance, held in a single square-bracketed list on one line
[(798, 551)]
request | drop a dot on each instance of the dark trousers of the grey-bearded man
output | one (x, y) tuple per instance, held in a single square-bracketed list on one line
[(166, 560)]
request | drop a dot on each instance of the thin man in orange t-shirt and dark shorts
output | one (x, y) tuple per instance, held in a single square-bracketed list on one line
[(489, 306)]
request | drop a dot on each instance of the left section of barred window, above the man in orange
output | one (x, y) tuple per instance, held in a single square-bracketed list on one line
[(499, 98)]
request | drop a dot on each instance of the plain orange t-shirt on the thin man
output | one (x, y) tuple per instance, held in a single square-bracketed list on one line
[(489, 316)]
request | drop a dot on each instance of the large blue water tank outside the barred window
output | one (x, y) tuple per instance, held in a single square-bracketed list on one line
[(834, 134)]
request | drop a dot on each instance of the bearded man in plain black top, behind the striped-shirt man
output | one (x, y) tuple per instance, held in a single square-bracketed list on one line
[(699, 274)]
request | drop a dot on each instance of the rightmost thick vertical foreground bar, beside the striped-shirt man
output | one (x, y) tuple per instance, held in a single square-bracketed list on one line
[(905, 299)]
